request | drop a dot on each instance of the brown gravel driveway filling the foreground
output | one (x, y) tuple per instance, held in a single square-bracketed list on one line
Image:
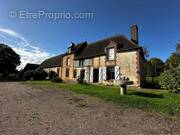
[(36, 111)]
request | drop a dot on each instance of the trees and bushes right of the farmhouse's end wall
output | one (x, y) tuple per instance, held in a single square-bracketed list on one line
[(167, 73)]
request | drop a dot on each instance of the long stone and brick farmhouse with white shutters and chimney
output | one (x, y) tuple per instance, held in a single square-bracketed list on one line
[(104, 61)]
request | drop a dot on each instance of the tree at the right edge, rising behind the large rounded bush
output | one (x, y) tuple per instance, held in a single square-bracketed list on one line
[(174, 60)]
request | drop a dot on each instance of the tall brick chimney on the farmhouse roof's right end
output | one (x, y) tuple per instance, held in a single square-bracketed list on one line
[(134, 34)]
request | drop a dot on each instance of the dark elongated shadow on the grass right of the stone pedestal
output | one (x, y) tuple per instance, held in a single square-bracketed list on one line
[(150, 95)]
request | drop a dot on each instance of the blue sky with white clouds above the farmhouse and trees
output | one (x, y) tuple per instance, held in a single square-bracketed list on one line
[(36, 38)]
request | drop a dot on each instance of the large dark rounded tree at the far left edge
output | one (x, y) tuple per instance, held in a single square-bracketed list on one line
[(9, 60)]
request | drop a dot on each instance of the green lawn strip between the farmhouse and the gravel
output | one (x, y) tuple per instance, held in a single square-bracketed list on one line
[(149, 100)]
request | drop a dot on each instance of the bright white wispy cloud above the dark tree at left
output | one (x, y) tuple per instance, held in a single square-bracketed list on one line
[(29, 53)]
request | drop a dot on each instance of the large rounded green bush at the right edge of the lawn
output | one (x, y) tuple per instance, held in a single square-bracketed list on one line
[(170, 80)]
